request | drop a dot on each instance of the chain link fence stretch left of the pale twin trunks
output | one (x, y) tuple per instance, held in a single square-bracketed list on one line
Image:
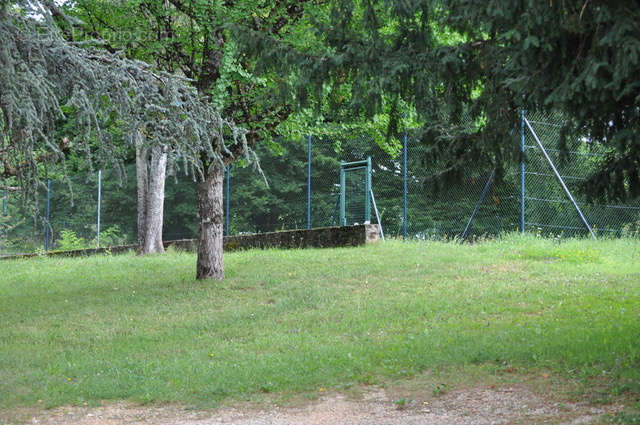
[(66, 215)]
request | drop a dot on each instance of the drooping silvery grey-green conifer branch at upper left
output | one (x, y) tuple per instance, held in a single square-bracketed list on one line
[(43, 76)]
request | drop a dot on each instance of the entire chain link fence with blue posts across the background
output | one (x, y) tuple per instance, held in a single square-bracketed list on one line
[(412, 198)]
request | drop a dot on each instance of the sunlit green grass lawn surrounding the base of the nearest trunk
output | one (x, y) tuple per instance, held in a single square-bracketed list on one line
[(141, 328)]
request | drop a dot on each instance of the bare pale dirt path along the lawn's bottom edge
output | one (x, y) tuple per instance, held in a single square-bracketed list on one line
[(480, 405)]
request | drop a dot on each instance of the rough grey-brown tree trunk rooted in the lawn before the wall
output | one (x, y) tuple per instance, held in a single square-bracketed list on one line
[(210, 264)]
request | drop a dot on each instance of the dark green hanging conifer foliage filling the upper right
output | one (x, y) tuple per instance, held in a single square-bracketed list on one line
[(457, 59)]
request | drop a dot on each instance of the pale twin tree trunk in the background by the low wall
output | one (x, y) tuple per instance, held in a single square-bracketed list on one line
[(150, 176)]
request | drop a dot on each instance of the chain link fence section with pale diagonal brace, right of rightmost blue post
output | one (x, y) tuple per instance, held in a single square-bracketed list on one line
[(548, 209)]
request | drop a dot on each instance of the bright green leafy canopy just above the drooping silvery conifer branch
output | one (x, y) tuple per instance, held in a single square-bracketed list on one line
[(196, 38)]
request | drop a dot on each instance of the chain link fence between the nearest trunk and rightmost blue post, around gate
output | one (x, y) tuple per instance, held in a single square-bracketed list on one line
[(433, 209)]
